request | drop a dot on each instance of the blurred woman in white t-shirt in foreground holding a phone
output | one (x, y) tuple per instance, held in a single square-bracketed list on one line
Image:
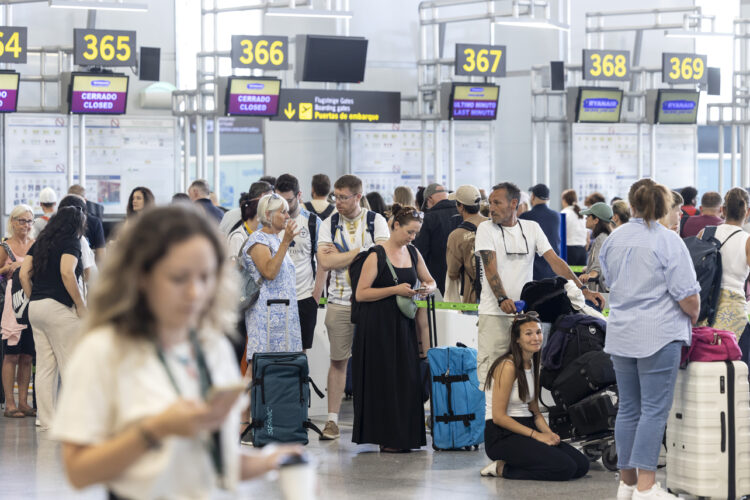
[(133, 413)]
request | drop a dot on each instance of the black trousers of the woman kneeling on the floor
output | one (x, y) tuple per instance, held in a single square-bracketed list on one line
[(527, 458)]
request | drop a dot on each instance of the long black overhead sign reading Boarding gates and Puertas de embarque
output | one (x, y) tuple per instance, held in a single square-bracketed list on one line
[(302, 105)]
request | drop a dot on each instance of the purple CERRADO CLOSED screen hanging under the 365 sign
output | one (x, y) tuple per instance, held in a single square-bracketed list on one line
[(103, 94)]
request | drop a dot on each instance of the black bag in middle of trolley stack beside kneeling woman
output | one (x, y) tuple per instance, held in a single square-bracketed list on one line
[(589, 373)]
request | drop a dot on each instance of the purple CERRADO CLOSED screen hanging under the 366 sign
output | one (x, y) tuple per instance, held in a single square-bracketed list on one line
[(253, 96)]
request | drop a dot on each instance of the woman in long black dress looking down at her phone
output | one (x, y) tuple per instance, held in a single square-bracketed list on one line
[(388, 407)]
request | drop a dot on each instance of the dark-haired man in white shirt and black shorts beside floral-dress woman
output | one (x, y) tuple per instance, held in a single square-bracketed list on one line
[(310, 278)]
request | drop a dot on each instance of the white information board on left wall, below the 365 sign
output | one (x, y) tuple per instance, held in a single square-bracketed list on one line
[(121, 153)]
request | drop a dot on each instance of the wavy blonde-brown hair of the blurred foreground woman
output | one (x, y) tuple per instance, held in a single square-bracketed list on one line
[(118, 300)]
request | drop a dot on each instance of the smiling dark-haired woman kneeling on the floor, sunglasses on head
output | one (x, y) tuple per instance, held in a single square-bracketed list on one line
[(516, 436)]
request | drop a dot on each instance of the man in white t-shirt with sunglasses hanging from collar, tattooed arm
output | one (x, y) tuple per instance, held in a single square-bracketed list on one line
[(507, 247)]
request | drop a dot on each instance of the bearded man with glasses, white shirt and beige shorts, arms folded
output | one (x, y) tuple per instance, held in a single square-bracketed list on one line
[(354, 230)]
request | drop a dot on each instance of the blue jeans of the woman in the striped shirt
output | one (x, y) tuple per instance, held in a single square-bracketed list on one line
[(646, 390)]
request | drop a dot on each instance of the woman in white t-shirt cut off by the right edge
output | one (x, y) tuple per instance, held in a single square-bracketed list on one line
[(731, 314)]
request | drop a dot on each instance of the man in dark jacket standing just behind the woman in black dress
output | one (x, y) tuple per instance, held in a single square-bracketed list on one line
[(441, 218)]
